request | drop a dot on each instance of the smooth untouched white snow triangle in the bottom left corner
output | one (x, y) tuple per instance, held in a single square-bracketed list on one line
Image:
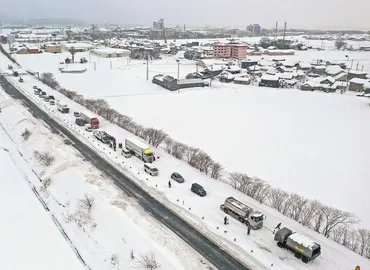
[(29, 237)]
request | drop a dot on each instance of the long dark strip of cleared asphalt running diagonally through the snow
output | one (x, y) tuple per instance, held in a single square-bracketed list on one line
[(199, 242)]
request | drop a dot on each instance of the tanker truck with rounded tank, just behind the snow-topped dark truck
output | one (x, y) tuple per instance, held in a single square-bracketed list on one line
[(244, 213)]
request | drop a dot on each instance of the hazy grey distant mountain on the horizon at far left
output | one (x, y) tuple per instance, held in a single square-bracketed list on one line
[(8, 19)]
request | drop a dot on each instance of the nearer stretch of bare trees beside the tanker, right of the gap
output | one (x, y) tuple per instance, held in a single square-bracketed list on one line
[(329, 221)]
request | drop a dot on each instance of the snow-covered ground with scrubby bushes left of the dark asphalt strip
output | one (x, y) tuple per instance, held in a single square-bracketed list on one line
[(105, 227)]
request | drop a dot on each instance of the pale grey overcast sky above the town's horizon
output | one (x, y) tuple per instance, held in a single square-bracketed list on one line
[(328, 14)]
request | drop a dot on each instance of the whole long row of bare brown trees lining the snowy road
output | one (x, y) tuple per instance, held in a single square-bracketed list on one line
[(326, 220)]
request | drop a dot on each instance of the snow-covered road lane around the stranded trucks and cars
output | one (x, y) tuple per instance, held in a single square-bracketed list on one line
[(258, 248)]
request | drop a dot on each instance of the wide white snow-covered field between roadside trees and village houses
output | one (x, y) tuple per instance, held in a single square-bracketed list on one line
[(301, 142)]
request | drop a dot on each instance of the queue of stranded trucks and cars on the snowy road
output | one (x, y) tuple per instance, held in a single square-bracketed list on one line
[(302, 247)]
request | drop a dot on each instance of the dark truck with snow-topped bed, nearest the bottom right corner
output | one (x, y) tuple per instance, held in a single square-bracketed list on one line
[(303, 247)]
